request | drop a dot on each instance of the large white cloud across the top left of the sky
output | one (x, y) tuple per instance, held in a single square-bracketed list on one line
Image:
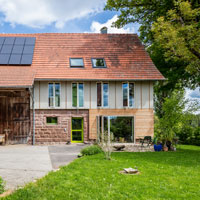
[(41, 13)]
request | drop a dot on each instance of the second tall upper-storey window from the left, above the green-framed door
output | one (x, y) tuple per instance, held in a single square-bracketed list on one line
[(77, 94)]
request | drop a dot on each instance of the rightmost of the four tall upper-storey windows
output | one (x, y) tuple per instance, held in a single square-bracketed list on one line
[(128, 94)]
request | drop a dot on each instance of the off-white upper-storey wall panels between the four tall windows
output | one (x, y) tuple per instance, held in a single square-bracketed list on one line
[(143, 95)]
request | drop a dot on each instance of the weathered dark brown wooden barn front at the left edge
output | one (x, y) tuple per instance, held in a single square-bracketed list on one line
[(15, 115)]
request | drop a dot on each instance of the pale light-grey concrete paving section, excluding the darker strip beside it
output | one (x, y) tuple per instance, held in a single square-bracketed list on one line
[(20, 164)]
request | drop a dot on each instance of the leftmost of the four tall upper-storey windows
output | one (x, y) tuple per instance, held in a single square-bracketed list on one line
[(54, 94)]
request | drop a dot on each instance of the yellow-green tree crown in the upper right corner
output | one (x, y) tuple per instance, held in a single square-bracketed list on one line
[(179, 35)]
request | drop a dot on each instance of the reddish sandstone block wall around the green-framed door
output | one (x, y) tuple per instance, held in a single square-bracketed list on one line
[(61, 132)]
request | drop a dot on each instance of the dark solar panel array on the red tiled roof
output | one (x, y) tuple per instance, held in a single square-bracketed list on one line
[(16, 50)]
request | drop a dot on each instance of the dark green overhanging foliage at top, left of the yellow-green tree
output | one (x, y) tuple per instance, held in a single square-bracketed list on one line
[(144, 12)]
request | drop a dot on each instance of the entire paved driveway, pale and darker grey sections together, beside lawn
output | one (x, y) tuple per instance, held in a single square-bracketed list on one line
[(21, 164)]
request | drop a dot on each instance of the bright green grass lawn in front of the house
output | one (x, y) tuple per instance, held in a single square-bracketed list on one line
[(164, 175)]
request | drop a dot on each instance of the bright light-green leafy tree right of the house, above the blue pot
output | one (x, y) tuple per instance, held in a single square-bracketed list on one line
[(176, 113)]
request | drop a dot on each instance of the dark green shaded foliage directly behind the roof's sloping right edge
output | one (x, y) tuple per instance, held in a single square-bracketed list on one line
[(174, 71)]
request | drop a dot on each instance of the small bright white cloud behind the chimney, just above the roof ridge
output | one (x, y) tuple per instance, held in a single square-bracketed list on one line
[(96, 26)]
